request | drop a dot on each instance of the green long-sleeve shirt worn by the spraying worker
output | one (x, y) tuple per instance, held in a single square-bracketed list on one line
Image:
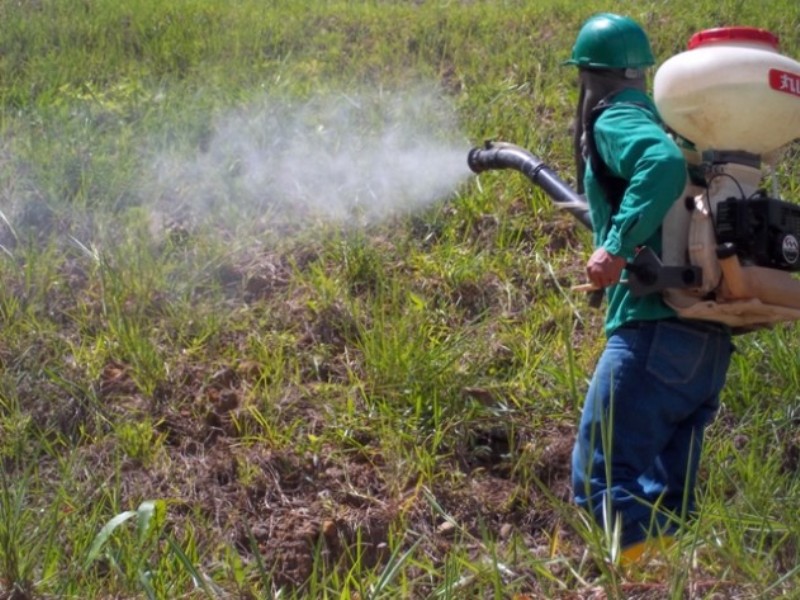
[(631, 140)]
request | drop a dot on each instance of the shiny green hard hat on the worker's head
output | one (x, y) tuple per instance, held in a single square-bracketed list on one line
[(608, 41)]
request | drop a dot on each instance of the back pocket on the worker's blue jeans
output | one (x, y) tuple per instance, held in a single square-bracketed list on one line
[(676, 352)]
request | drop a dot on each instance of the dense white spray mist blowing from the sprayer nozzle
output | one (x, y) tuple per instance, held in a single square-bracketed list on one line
[(342, 159)]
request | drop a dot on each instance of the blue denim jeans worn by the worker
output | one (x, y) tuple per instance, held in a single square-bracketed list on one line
[(655, 388)]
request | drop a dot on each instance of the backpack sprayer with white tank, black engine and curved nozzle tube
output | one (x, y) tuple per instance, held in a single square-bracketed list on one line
[(729, 247)]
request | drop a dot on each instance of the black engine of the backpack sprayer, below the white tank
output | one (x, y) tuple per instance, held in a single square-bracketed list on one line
[(764, 231)]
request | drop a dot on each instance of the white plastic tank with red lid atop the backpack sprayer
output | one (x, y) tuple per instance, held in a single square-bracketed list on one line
[(731, 90)]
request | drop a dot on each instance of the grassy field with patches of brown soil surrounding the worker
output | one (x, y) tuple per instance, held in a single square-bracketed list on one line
[(265, 336)]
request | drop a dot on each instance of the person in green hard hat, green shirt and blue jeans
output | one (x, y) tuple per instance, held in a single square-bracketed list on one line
[(657, 382)]
